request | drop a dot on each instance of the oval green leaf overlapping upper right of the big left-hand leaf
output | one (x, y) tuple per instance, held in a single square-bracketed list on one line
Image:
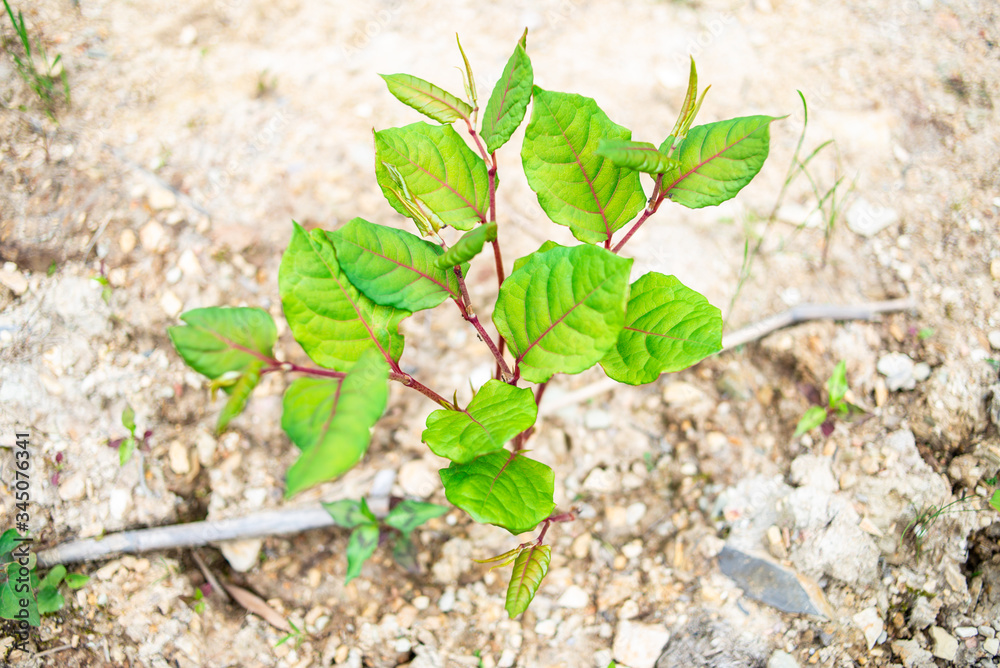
[(392, 267)]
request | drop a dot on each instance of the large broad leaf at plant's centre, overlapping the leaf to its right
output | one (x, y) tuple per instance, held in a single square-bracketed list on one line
[(563, 309)]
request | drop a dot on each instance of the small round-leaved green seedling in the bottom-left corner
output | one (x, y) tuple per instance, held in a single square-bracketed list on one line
[(19, 582)]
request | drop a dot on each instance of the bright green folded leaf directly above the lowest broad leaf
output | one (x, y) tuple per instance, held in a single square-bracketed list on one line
[(496, 414)]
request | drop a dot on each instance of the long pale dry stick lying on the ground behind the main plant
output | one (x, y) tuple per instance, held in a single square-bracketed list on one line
[(295, 520)]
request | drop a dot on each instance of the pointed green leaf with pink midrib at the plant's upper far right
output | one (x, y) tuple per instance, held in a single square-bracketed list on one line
[(717, 160)]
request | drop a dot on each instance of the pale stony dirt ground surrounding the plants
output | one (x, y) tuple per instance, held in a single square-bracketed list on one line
[(198, 130)]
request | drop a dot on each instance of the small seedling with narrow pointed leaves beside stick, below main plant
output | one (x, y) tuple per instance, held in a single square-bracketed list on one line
[(368, 533)]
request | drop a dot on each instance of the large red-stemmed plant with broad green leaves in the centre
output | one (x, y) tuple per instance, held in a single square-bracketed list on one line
[(562, 309)]
